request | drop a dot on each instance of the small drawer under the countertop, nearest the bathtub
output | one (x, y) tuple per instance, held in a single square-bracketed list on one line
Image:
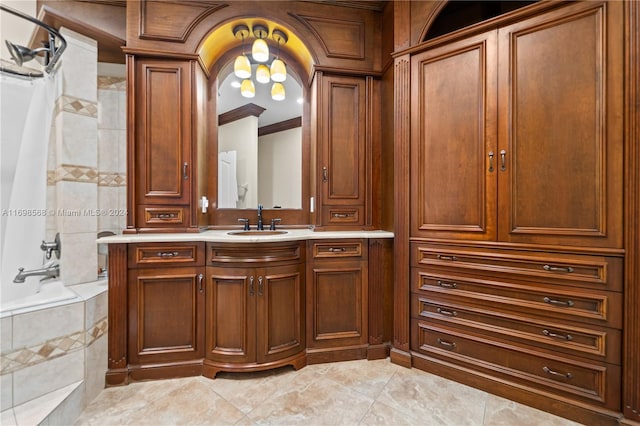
[(166, 254)]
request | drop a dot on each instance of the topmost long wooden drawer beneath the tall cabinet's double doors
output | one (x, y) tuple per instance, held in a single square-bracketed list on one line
[(598, 272)]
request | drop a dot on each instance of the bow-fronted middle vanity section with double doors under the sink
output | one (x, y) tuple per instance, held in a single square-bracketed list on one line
[(255, 306)]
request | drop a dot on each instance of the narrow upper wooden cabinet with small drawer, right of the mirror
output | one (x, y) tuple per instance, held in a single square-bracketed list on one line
[(343, 150)]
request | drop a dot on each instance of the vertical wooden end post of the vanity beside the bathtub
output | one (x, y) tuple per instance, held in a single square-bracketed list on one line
[(118, 328)]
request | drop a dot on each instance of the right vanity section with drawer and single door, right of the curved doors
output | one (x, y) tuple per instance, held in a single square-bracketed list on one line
[(337, 300)]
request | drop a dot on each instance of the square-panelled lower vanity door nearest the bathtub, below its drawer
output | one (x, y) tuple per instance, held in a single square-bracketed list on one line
[(166, 321)]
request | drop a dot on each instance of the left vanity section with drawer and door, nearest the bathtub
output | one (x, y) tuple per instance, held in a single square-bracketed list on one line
[(165, 309)]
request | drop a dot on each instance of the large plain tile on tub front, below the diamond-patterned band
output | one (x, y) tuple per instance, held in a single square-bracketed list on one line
[(41, 379)]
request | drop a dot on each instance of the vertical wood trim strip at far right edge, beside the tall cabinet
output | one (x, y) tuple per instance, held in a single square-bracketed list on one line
[(631, 347)]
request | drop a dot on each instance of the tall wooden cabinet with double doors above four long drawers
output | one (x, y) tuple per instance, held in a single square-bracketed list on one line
[(516, 210)]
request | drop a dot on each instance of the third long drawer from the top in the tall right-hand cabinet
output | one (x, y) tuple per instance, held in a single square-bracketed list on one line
[(601, 344)]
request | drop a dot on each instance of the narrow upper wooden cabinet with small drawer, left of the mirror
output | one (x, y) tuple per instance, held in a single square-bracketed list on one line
[(161, 169)]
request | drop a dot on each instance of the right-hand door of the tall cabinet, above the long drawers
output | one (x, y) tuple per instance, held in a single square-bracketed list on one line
[(560, 126)]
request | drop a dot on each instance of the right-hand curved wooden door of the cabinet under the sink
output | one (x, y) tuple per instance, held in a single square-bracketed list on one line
[(280, 315)]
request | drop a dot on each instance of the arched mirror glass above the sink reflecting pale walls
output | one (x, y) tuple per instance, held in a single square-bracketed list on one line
[(259, 144)]
